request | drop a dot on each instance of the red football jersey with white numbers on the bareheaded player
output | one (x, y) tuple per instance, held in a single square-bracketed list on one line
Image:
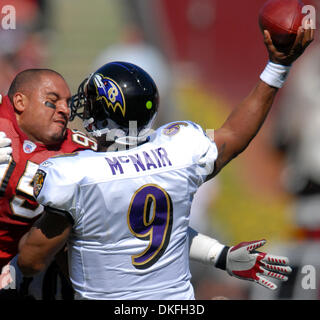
[(18, 208)]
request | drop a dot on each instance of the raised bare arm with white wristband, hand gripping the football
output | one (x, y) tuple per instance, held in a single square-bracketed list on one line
[(245, 120)]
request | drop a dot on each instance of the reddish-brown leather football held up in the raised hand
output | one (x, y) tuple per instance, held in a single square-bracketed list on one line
[(282, 18)]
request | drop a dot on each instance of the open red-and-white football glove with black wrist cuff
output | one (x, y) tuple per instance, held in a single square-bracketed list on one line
[(244, 262)]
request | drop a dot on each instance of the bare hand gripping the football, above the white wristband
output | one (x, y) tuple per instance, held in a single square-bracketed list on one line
[(303, 40)]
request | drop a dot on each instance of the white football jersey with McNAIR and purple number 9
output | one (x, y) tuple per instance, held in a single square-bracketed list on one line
[(131, 213)]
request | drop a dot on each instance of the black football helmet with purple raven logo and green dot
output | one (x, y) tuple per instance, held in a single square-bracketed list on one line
[(118, 96)]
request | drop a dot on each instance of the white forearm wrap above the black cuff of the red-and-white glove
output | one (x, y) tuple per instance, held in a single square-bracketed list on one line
[(205, 249)]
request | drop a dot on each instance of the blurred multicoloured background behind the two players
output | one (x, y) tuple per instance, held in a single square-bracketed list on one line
[(205, 56)]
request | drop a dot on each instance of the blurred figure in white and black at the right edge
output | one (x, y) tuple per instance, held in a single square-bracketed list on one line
[(297, 135)]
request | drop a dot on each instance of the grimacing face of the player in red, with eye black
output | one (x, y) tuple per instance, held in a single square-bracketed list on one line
[(46, 112)]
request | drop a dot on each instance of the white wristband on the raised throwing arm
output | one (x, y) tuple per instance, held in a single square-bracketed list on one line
[(275, 74)]
